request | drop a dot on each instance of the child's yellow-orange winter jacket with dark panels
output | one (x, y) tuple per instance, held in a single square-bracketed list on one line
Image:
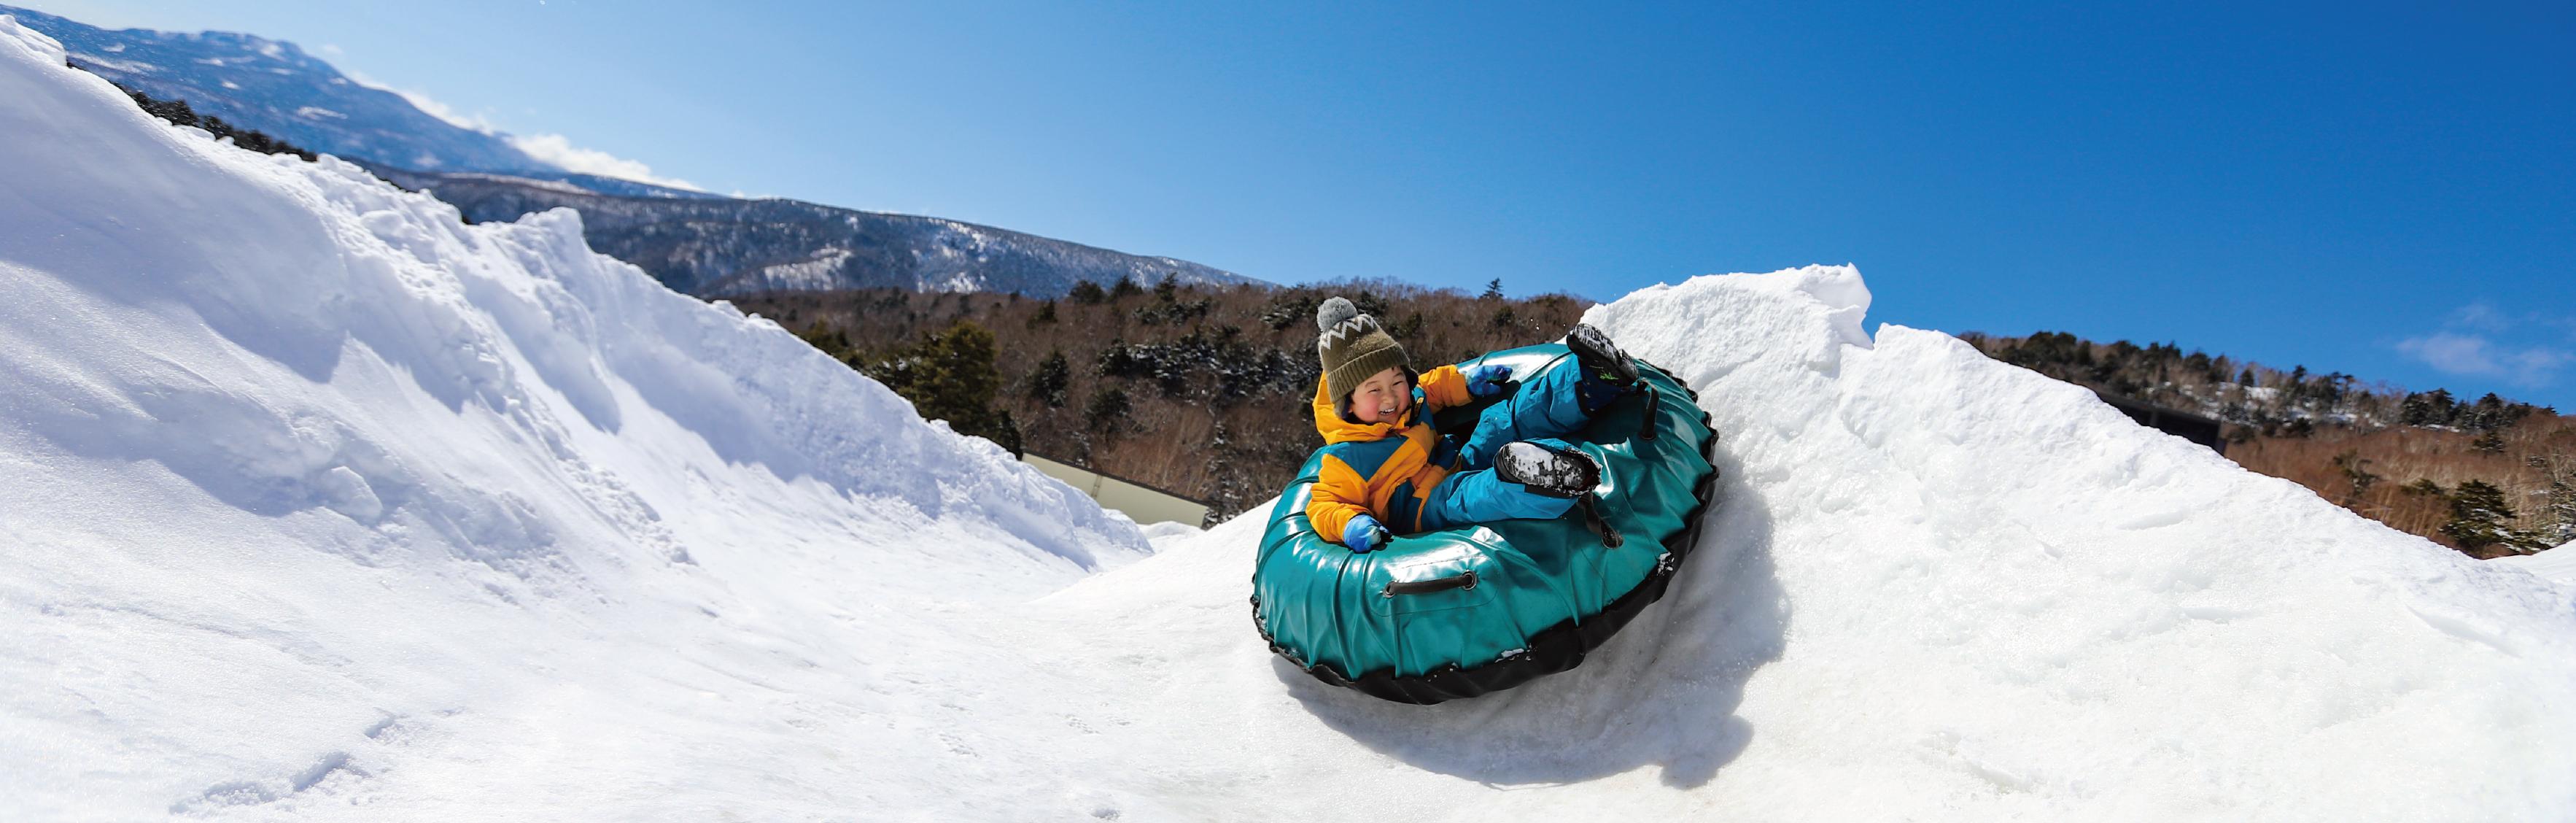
[(1382, 468)]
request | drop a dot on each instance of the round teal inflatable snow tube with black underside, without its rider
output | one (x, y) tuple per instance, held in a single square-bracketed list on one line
[(1464, 613)]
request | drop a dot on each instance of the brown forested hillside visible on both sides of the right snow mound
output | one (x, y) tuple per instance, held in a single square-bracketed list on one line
[(1204, 391)]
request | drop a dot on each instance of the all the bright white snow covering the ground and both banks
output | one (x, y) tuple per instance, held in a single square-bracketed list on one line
[(323, 504)]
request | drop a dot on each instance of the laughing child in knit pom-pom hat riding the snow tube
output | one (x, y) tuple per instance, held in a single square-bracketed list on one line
[(1385, 471)]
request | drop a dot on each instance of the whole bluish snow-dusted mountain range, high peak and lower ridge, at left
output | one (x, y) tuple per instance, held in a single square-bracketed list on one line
[(692, 241)]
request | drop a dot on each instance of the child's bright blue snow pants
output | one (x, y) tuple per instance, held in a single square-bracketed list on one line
[(1542, 411)]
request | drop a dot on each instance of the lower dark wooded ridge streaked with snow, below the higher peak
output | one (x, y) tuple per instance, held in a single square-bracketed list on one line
[(735, 246)]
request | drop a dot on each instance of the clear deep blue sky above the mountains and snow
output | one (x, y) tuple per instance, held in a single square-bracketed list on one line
[(2351, 187)]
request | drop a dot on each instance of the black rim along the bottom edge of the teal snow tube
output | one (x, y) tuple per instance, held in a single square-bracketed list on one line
[(1555, 649)]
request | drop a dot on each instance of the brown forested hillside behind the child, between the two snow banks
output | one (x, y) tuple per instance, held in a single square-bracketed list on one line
[(1202, 391)]
